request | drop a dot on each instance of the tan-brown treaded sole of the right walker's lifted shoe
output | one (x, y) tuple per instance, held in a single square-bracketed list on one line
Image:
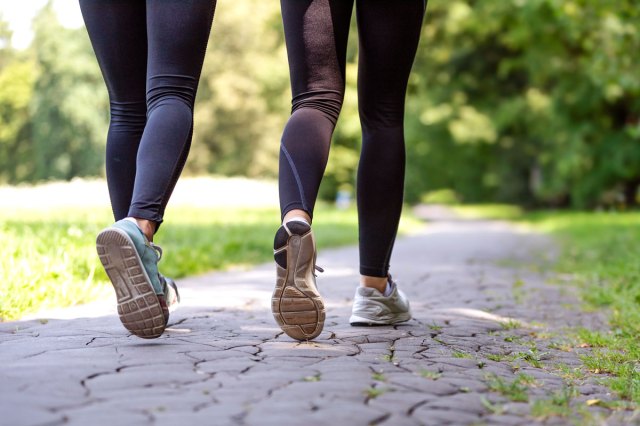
[(297, 307)]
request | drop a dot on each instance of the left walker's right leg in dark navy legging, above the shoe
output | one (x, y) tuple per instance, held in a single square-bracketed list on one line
[(177, 34)]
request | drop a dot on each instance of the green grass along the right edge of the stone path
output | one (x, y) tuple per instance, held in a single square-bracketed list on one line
[(601, 255)]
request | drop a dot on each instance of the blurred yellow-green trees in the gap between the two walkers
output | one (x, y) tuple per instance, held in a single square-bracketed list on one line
[(243, 97)]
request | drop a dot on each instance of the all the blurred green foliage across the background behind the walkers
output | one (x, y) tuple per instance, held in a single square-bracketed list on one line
[(532, 102)]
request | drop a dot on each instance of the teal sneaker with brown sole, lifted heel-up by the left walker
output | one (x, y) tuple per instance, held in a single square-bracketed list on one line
[(144, 296)]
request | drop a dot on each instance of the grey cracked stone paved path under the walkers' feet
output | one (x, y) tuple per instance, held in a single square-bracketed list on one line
[(483, 315)]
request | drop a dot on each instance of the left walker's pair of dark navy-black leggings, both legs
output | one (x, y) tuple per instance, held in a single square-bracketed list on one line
[(151, 54)]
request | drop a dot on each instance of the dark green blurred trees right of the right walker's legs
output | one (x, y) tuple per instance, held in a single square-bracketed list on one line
[(532, 101)]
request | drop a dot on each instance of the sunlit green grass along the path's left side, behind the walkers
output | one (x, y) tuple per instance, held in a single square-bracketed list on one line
[(48, 260)]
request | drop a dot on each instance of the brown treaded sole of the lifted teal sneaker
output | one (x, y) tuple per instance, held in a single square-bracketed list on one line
[(139, 309)]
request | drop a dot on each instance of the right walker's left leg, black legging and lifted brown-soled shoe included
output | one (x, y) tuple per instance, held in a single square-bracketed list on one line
[(316, 34)]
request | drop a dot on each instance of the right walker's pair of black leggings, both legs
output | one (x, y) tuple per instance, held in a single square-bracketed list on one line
[(316, 33)]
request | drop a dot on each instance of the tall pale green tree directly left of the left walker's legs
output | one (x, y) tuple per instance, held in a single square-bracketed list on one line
[(69, 103)]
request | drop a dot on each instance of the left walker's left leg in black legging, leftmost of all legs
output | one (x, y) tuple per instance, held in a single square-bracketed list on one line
[(118, 33)]
